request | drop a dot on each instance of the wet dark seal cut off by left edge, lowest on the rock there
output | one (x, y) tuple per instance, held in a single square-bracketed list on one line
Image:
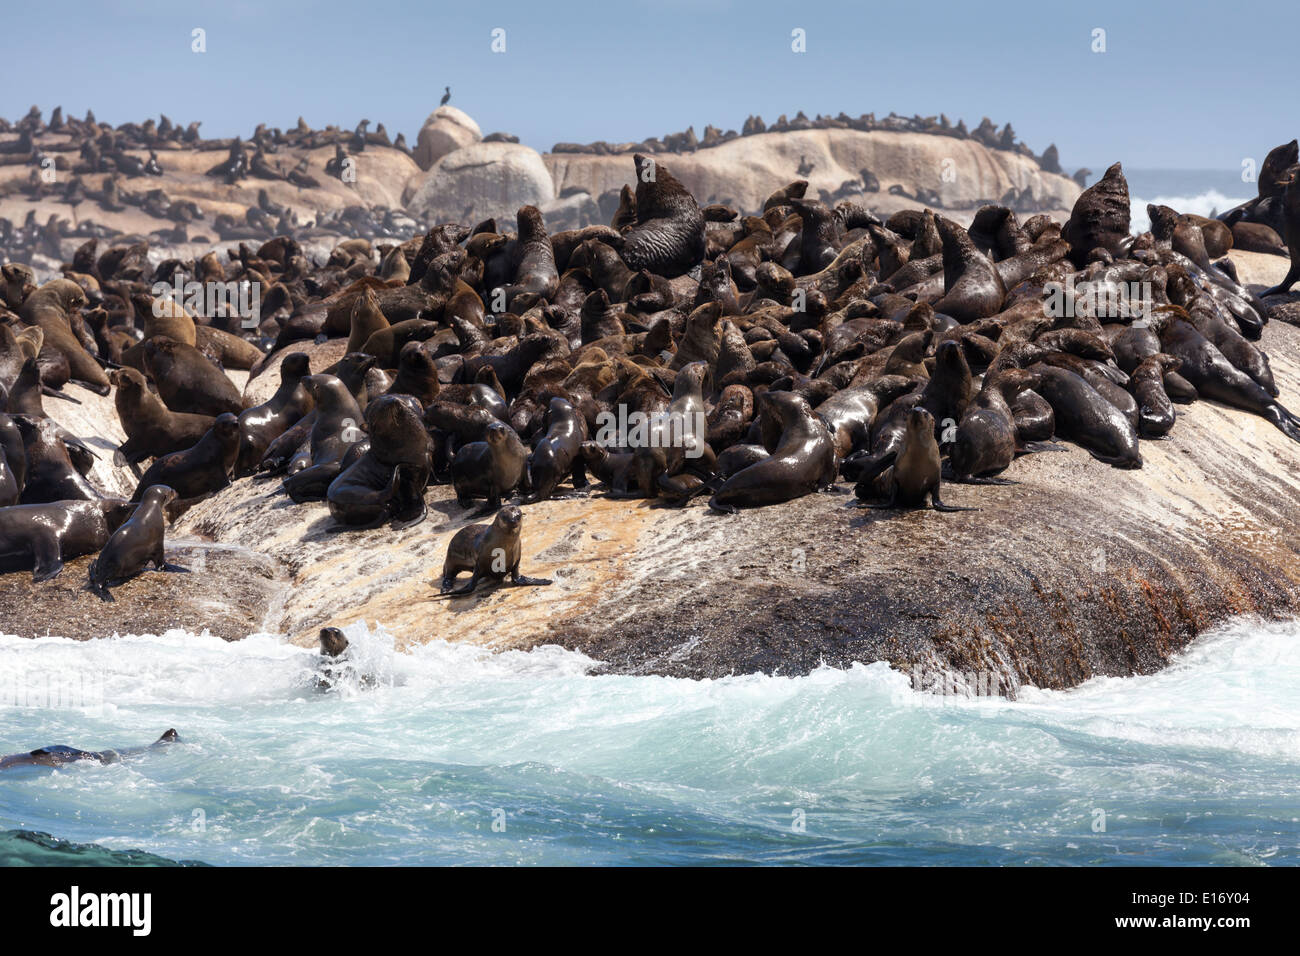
[(42, 538)]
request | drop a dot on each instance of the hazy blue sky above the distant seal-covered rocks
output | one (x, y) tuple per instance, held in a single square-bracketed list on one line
[(1180, 85)]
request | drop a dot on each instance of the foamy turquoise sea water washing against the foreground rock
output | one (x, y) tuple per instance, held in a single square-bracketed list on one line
[(1195, 765)]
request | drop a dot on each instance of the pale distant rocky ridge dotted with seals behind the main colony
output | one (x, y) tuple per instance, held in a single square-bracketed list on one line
[(67, 180)]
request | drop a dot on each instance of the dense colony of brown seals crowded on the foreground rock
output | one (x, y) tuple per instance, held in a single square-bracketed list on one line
[(818, 344)]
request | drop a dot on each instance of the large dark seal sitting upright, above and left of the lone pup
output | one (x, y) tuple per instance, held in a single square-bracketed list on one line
[(388, 481)]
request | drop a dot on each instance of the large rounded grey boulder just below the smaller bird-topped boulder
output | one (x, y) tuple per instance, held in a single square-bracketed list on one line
[(480, 181)]
